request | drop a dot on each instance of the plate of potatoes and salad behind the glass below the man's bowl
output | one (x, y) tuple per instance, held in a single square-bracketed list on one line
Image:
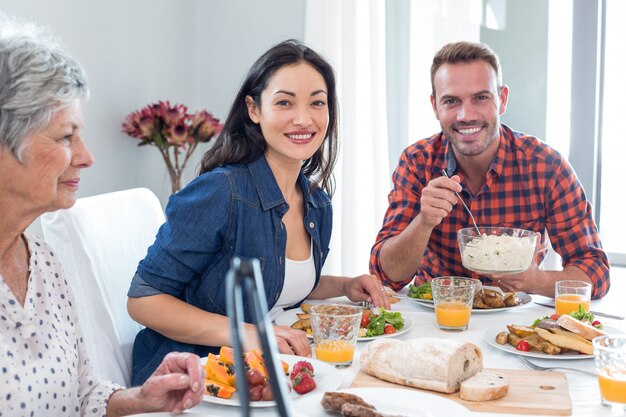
[(487, 299)]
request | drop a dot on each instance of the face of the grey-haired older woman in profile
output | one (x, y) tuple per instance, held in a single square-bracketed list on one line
[(47, 179)]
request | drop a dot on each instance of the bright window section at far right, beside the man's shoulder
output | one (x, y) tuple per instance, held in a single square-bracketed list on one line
[(596, 149)]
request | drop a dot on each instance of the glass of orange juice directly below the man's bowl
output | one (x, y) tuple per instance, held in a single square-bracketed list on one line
[(453, 298)]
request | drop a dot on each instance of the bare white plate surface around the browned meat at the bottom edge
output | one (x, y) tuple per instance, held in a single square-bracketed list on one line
[(395, 401)]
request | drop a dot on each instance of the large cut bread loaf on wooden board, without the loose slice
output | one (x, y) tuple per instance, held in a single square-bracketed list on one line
[(429, 363)]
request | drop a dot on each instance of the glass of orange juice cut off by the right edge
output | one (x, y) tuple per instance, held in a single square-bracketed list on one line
[(610, 356)]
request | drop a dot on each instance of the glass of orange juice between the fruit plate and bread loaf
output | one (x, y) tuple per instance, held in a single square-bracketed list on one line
[(335, 329)]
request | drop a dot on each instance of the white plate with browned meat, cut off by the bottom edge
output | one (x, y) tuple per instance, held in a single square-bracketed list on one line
[(388, 401)]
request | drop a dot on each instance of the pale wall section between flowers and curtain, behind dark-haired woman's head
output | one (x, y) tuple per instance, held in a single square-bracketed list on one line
[(230, 35)]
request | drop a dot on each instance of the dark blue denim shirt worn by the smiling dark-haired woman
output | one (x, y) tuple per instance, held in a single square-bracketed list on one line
[(234, 210)]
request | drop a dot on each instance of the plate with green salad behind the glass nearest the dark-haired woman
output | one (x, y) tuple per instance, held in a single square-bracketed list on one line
[(375, 323)]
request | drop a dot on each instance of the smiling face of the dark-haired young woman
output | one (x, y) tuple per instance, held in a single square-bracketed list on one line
[(292, 113)]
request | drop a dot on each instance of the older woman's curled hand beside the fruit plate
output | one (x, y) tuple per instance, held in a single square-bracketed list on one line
[(176, 385)]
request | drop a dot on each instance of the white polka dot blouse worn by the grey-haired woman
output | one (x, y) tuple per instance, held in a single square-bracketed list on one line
[(44, 370)]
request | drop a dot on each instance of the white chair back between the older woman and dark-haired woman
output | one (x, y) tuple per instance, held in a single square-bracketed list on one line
[(99, 242)]
